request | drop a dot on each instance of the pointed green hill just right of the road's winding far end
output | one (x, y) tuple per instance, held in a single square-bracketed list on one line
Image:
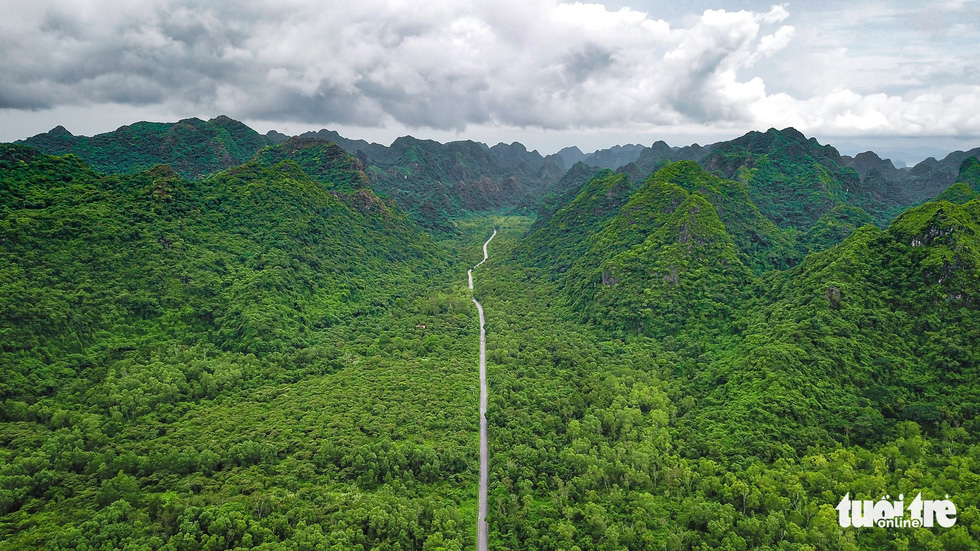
[(590, 242)]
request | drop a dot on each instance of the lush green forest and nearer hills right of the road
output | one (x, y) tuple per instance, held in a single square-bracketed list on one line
[(852, 371)]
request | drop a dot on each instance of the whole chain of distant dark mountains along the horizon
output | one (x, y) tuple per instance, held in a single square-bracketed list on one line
[(794, 181)]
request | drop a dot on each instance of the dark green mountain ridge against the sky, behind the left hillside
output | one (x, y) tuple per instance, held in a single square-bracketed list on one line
[(192, 147)]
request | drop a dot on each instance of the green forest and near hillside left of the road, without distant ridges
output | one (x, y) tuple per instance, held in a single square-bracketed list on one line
[(229, 362)]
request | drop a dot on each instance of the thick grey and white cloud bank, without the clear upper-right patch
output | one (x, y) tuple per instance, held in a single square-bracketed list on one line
[(443, 65)]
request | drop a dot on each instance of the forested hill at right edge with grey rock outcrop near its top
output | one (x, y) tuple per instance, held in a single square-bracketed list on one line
[(848, 343)]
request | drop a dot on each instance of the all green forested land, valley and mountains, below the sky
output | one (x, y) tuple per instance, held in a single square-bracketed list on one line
[(214, 339)]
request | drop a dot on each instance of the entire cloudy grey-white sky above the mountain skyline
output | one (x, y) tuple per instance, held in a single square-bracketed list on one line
[(897, 77)]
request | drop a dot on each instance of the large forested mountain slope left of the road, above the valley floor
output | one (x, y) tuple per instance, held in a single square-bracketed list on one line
[(250, 259)]
